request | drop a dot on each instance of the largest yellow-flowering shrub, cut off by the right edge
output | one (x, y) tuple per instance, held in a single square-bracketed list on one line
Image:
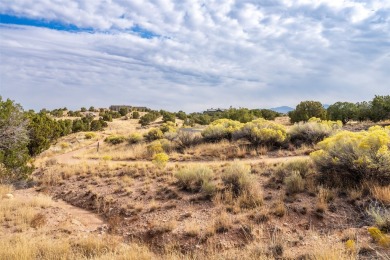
[(348, 158)]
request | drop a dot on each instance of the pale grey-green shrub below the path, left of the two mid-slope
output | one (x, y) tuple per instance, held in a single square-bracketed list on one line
[(195, 178)]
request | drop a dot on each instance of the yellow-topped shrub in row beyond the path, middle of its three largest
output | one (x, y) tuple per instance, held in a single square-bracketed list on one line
[(262, 132)]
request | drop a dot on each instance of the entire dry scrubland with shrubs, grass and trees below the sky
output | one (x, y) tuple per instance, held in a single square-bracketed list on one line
[(233, 184)]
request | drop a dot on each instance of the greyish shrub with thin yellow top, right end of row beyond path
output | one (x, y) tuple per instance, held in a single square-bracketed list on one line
[(313, 131)]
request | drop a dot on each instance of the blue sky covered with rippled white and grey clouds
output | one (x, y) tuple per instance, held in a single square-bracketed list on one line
[(192, 55)]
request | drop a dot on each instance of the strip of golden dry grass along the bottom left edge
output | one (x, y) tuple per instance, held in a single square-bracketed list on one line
[(21, 246)]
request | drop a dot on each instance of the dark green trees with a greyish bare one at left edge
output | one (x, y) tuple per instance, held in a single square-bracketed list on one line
[(25, 134)]
